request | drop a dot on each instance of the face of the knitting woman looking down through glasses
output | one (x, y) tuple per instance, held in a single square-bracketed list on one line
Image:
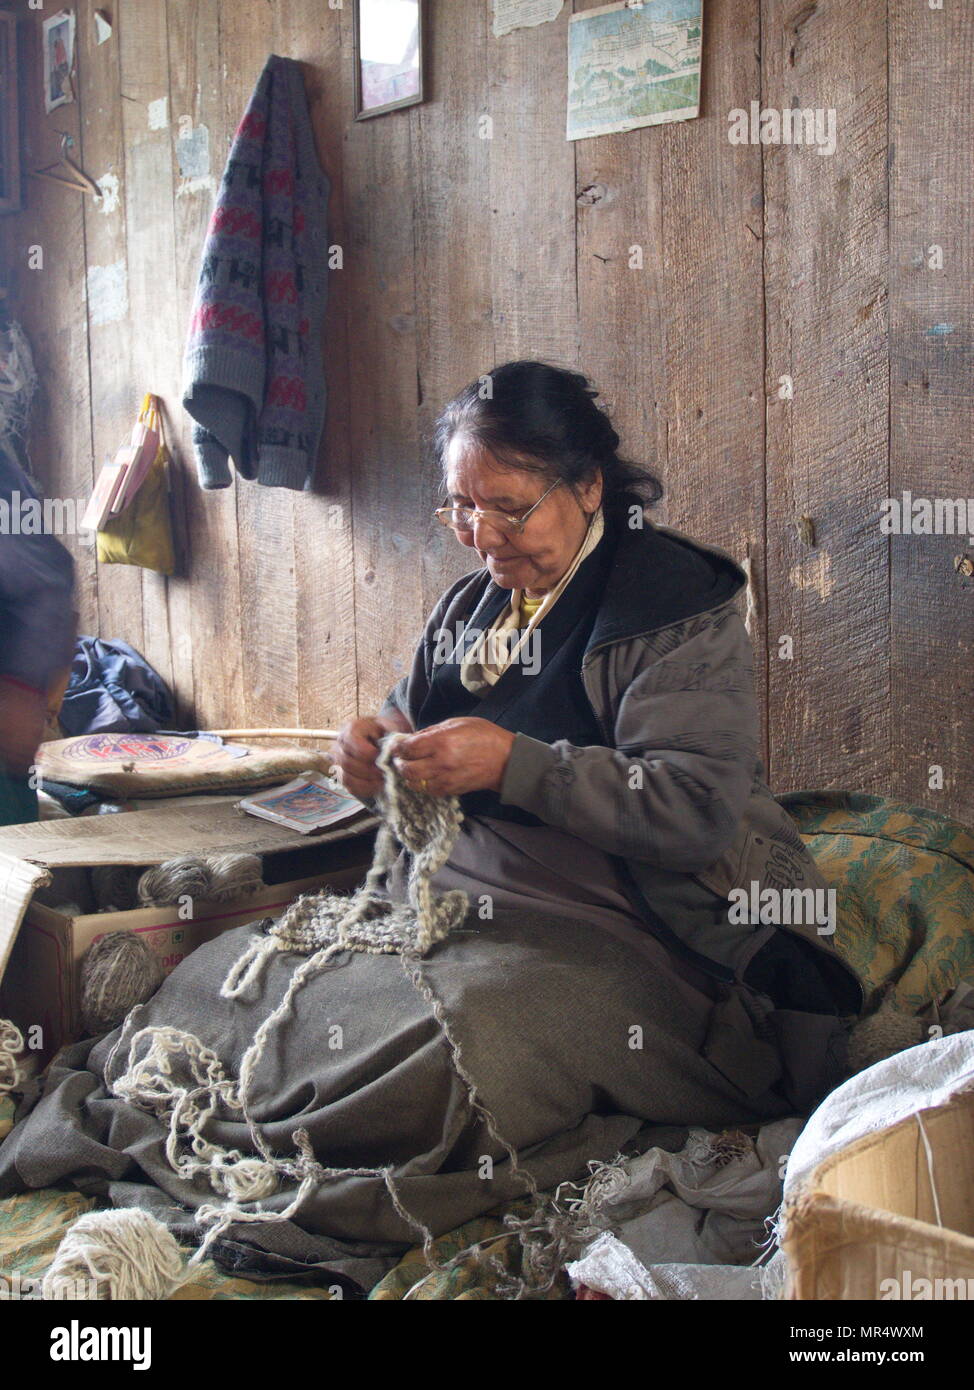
[(536, 559)]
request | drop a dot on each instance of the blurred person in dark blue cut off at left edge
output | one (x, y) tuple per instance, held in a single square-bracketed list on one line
[(38, 629)]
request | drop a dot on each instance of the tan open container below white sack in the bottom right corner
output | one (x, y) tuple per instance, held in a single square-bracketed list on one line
[(884, 1220)]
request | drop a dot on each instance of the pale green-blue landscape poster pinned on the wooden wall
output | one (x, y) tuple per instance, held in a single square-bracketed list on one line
[(633, 66)]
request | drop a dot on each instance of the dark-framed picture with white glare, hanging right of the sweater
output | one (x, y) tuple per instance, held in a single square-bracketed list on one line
[(388, 55)]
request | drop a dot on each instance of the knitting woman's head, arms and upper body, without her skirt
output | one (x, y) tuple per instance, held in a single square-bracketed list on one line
[(588, 696)]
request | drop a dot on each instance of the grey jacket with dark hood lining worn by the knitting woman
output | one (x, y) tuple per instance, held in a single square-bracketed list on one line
[(677, 790)]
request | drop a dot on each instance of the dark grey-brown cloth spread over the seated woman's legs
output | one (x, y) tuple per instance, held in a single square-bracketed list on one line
[(575, 1042)]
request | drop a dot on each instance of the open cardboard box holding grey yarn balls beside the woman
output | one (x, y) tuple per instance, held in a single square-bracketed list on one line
[(41, 985)]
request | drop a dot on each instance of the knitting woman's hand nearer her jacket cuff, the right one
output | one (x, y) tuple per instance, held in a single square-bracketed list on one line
[(456, 757)]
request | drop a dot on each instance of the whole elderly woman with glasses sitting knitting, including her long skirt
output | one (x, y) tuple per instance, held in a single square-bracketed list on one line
[(587, 694)]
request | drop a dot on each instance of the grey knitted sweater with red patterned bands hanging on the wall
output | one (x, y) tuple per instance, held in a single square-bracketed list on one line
[(254, 377)]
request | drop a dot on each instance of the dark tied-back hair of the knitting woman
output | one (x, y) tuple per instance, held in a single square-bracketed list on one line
[(544, 419)]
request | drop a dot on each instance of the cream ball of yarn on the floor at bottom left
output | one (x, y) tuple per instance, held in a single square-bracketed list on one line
[(116, 1254)]
